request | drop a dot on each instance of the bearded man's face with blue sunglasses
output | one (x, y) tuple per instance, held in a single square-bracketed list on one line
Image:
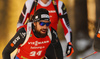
[(42, 27)]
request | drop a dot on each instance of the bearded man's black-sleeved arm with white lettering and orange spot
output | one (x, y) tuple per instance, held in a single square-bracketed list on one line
[(14, 43)]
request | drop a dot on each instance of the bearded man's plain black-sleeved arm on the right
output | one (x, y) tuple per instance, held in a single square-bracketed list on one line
[(56, 44)]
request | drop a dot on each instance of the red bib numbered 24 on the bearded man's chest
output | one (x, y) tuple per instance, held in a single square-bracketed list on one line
[(33, 47)]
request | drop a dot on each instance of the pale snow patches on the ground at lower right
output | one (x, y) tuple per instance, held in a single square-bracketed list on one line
[(88, 52)]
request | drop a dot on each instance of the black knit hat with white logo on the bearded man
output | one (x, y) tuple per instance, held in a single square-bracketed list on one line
[(41, 14)]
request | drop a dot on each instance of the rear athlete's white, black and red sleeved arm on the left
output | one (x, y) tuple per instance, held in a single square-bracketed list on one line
[(25, 13)]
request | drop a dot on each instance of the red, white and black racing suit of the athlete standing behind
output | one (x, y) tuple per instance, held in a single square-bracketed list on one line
[(29, 10)]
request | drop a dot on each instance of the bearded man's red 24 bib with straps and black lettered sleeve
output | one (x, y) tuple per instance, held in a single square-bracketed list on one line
[(29, 45)]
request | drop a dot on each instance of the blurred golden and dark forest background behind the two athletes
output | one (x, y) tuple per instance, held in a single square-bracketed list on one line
[(83, 17)]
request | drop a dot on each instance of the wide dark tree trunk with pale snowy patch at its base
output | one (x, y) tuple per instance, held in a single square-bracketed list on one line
[(81, 27)]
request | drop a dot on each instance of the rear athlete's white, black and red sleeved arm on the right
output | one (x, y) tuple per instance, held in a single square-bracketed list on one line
[(65, 21)]
